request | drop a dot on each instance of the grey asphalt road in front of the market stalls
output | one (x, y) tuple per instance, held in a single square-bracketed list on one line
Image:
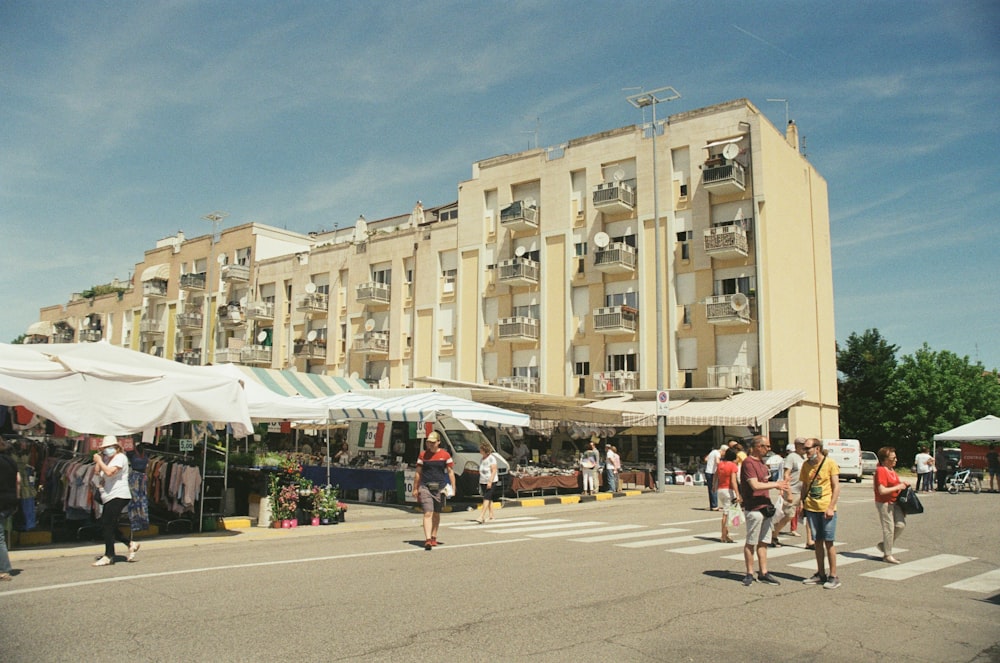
[(641, 578)]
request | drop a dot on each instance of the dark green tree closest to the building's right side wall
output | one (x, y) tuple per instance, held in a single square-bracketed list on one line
[(867, 367)]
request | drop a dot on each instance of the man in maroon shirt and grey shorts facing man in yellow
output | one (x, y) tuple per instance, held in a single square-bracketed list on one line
[(755, 492)]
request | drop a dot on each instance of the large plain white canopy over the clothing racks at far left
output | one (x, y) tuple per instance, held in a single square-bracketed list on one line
[(101, 389)]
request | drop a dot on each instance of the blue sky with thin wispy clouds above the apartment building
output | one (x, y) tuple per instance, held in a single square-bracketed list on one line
[(124, 122)]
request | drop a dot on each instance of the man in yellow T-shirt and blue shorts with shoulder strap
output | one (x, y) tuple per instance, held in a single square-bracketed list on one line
[(820, 477)]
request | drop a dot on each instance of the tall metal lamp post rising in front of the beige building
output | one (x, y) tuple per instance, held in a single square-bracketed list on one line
[(641, 100)]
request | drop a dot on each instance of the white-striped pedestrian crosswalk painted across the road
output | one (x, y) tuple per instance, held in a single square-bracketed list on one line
[(701, 537)]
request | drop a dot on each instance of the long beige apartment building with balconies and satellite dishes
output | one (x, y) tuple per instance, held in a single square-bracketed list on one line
[(539, 279)]
